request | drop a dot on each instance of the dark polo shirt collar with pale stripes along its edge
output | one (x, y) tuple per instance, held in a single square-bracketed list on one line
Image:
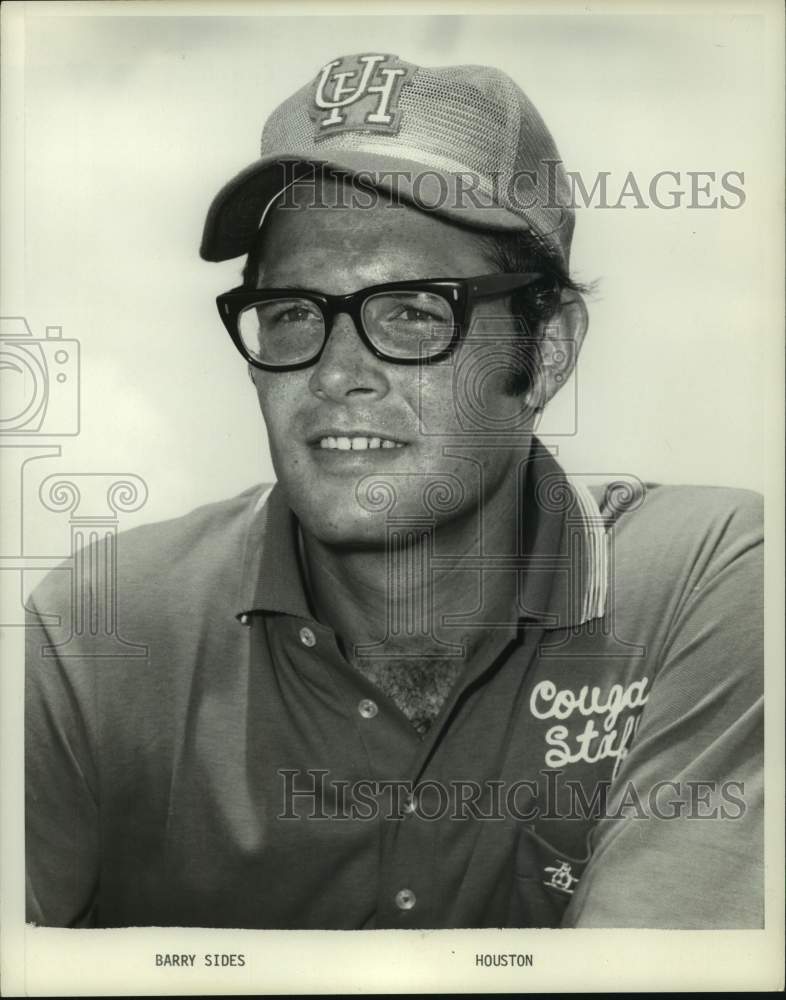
[(564, 548)]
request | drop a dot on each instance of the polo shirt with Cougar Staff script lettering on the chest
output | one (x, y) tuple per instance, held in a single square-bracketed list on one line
[(597, 763)]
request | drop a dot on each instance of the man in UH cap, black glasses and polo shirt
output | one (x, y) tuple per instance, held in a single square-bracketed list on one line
[(426, 680)]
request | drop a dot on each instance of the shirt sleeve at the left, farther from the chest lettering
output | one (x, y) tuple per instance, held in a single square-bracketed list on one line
[(61, 812)]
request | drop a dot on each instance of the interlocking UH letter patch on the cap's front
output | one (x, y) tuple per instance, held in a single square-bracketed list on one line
[(359, 93)]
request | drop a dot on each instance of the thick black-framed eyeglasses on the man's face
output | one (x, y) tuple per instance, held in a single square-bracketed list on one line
[(404, 322)]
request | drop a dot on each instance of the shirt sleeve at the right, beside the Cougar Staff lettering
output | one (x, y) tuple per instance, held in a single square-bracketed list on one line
[(689, 853)]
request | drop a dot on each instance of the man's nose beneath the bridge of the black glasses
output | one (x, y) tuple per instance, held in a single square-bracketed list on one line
[(347, 367)]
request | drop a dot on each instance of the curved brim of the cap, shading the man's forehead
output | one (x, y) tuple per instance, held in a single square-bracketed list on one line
[(235, 214)]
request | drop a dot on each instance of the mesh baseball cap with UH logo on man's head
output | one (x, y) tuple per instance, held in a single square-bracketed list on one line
[(462, 141)]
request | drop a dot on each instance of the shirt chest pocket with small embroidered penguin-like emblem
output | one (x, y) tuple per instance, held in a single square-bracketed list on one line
[(545, 878)]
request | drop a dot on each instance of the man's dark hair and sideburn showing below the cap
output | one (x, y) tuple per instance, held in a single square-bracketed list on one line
[(509, 252)]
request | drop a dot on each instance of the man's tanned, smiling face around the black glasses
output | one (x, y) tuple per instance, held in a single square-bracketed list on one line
[(349, 393)]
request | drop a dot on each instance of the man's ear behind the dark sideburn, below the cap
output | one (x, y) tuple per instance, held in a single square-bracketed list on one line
[(558, 349)]
